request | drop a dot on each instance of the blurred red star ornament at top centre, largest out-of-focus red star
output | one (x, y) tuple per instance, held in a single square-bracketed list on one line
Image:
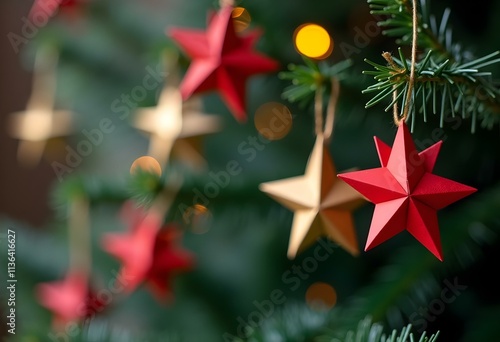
[(221, 60)]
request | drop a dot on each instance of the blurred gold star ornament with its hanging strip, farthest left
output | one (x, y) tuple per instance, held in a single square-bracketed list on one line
[(39, 122)]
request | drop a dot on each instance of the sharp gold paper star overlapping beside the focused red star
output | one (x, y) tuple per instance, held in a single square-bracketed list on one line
[(322, 203)]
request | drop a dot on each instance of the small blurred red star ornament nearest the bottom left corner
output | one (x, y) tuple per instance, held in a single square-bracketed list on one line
[(70, 299)]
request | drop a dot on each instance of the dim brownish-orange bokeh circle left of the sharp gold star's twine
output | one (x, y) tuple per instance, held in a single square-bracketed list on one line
[(273, 120)]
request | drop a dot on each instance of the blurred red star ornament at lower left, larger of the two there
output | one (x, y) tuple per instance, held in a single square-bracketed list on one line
[(149, 253)]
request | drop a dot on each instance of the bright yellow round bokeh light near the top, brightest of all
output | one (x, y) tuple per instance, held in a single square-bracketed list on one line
[(313, 41)]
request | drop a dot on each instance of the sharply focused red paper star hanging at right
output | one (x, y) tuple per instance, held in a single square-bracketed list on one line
[(406, 194)]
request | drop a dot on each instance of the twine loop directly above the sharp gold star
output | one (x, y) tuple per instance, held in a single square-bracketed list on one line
[(326, 128)]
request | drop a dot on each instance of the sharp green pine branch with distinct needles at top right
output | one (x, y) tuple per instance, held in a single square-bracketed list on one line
[(449, 79)]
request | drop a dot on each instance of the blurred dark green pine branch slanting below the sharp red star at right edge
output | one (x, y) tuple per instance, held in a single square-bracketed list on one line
[(414, 269)]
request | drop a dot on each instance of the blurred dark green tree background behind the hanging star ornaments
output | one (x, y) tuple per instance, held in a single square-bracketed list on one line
[(241, 258)]
